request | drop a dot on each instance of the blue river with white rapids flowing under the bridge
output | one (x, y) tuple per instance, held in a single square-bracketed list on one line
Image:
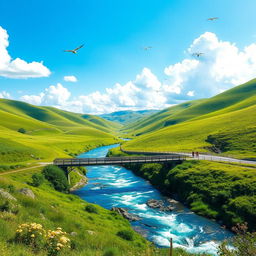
[(115, 186)]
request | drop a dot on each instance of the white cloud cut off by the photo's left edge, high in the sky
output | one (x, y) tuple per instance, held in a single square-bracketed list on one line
[(18, 68)]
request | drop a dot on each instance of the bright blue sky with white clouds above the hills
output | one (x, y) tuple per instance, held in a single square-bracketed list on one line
[(113, 71)]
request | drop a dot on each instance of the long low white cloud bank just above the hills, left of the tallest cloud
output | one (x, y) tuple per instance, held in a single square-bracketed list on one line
[(142, 93)]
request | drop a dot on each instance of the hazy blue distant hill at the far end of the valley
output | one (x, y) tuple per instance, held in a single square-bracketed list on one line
[(127, 116)]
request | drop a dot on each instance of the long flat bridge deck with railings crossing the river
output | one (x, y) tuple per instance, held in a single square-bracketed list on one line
[(66, 162)]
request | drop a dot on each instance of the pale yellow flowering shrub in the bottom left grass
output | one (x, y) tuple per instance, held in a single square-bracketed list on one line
[(35, 236)]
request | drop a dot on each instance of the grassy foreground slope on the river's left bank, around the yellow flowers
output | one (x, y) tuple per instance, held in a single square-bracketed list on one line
[(92, 233)]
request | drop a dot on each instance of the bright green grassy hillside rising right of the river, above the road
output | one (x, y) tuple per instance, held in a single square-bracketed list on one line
[(225, 123)]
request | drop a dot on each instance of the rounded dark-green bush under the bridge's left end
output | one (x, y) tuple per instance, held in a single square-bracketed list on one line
[(57, 177)]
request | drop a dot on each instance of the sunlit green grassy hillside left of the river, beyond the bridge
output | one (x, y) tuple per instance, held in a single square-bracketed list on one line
[(49, 133)]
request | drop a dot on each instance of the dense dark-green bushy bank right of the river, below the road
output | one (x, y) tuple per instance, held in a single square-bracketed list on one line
[(217, 191)]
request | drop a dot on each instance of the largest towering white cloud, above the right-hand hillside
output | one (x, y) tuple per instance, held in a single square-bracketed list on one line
[(221, 67)]
